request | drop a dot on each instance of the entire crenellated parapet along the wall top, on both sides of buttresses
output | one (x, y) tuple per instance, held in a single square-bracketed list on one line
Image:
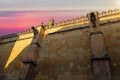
[(104, 17)]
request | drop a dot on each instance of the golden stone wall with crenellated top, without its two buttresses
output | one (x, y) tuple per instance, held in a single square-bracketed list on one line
[(65, 52)]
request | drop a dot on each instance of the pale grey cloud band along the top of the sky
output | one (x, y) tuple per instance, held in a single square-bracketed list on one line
[(57, 4)]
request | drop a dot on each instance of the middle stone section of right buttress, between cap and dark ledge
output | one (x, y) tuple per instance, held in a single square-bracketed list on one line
[(98, 45)]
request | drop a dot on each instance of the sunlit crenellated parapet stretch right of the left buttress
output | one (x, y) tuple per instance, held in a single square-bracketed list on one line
[(84, 19)]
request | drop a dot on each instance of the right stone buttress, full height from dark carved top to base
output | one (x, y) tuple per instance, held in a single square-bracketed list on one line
[(100, 60)]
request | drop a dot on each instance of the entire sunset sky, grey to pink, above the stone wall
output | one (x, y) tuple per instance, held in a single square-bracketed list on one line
[(18, 15)]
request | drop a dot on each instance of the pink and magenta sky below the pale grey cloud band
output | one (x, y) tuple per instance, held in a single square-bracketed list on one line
[(15, 21)]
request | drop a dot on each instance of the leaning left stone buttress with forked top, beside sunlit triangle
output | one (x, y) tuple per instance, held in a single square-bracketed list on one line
[(30, 63)]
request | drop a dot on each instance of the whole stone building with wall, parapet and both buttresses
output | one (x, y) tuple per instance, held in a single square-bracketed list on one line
[(85, 48)]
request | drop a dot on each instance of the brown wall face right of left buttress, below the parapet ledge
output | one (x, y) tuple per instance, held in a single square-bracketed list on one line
[(66, 55)]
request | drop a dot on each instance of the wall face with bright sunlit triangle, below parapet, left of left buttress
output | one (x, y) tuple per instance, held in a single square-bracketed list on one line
[(11, 55)]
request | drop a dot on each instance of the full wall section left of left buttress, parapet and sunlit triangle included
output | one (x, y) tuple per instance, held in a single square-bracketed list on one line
[(13, 49)]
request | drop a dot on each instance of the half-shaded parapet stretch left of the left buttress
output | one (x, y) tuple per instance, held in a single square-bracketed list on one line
[(23, 35)]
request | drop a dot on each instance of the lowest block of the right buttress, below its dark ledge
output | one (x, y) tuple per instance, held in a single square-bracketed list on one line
[(101, 69)]
